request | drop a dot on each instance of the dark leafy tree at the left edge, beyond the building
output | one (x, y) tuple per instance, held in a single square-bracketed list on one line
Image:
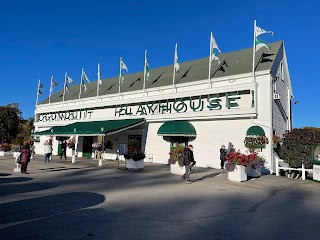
[(10, 118)]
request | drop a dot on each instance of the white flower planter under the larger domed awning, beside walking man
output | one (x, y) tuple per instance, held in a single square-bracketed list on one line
[(176, 160)]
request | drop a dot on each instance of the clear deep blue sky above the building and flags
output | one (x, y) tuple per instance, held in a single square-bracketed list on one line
[(43, 38)]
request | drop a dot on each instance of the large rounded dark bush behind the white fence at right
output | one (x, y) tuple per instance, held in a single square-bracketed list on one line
[(297, 146)]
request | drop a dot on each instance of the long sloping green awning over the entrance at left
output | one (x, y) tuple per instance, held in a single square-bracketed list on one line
[(93, 128)]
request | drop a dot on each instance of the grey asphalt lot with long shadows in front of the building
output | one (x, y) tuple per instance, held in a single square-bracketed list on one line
[(61, 200)]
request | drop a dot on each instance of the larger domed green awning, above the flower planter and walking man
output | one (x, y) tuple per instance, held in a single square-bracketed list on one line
[(177, 128)]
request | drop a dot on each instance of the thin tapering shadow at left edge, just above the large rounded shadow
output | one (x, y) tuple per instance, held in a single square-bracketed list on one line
[(32, 187)]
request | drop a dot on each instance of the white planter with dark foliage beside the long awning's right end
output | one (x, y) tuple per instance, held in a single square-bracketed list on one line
[(134, 157)]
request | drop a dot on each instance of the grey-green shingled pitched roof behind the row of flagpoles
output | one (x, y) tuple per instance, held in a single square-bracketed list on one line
[(232, 63)]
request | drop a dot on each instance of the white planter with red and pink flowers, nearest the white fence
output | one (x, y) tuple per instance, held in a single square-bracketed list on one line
[(239, 166)]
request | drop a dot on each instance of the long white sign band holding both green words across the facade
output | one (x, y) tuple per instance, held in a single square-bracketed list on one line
[(213, 102)]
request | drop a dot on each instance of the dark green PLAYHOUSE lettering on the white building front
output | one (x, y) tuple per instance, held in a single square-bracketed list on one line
[(182, 105)]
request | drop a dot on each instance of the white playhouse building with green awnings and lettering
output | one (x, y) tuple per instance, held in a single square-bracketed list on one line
[(198, 111)]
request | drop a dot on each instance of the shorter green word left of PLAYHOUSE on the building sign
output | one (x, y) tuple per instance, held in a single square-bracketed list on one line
[(65, 116)]
